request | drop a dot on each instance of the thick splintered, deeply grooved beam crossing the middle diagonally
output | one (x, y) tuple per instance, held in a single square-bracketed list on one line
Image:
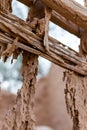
[(12, 27)]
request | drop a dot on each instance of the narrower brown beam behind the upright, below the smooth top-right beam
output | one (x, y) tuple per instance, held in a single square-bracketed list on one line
[(60, 21)]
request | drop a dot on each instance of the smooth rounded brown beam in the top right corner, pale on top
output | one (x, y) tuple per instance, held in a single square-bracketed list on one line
[(71, 10)]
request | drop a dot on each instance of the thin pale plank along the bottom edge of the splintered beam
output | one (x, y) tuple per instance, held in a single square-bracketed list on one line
[(58, 60)]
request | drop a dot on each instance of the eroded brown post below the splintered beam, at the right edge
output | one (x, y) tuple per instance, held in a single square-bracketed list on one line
[(76, 99)]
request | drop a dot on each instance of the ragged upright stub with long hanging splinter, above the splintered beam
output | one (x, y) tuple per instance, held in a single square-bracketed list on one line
[(39, 16)]
